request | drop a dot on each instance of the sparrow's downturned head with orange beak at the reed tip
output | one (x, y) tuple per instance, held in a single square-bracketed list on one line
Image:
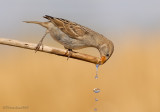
[(106, 50)]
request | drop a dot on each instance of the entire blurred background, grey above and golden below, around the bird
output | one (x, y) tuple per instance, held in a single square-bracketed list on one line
[(41, 82)]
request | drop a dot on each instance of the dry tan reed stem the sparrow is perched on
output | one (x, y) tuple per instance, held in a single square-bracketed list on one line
[(51, 50)]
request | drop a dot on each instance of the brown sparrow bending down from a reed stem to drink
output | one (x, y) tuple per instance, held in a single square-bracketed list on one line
[(74, 36)]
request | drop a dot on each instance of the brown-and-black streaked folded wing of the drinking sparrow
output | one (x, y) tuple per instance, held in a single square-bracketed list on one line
[(72, 29)]
